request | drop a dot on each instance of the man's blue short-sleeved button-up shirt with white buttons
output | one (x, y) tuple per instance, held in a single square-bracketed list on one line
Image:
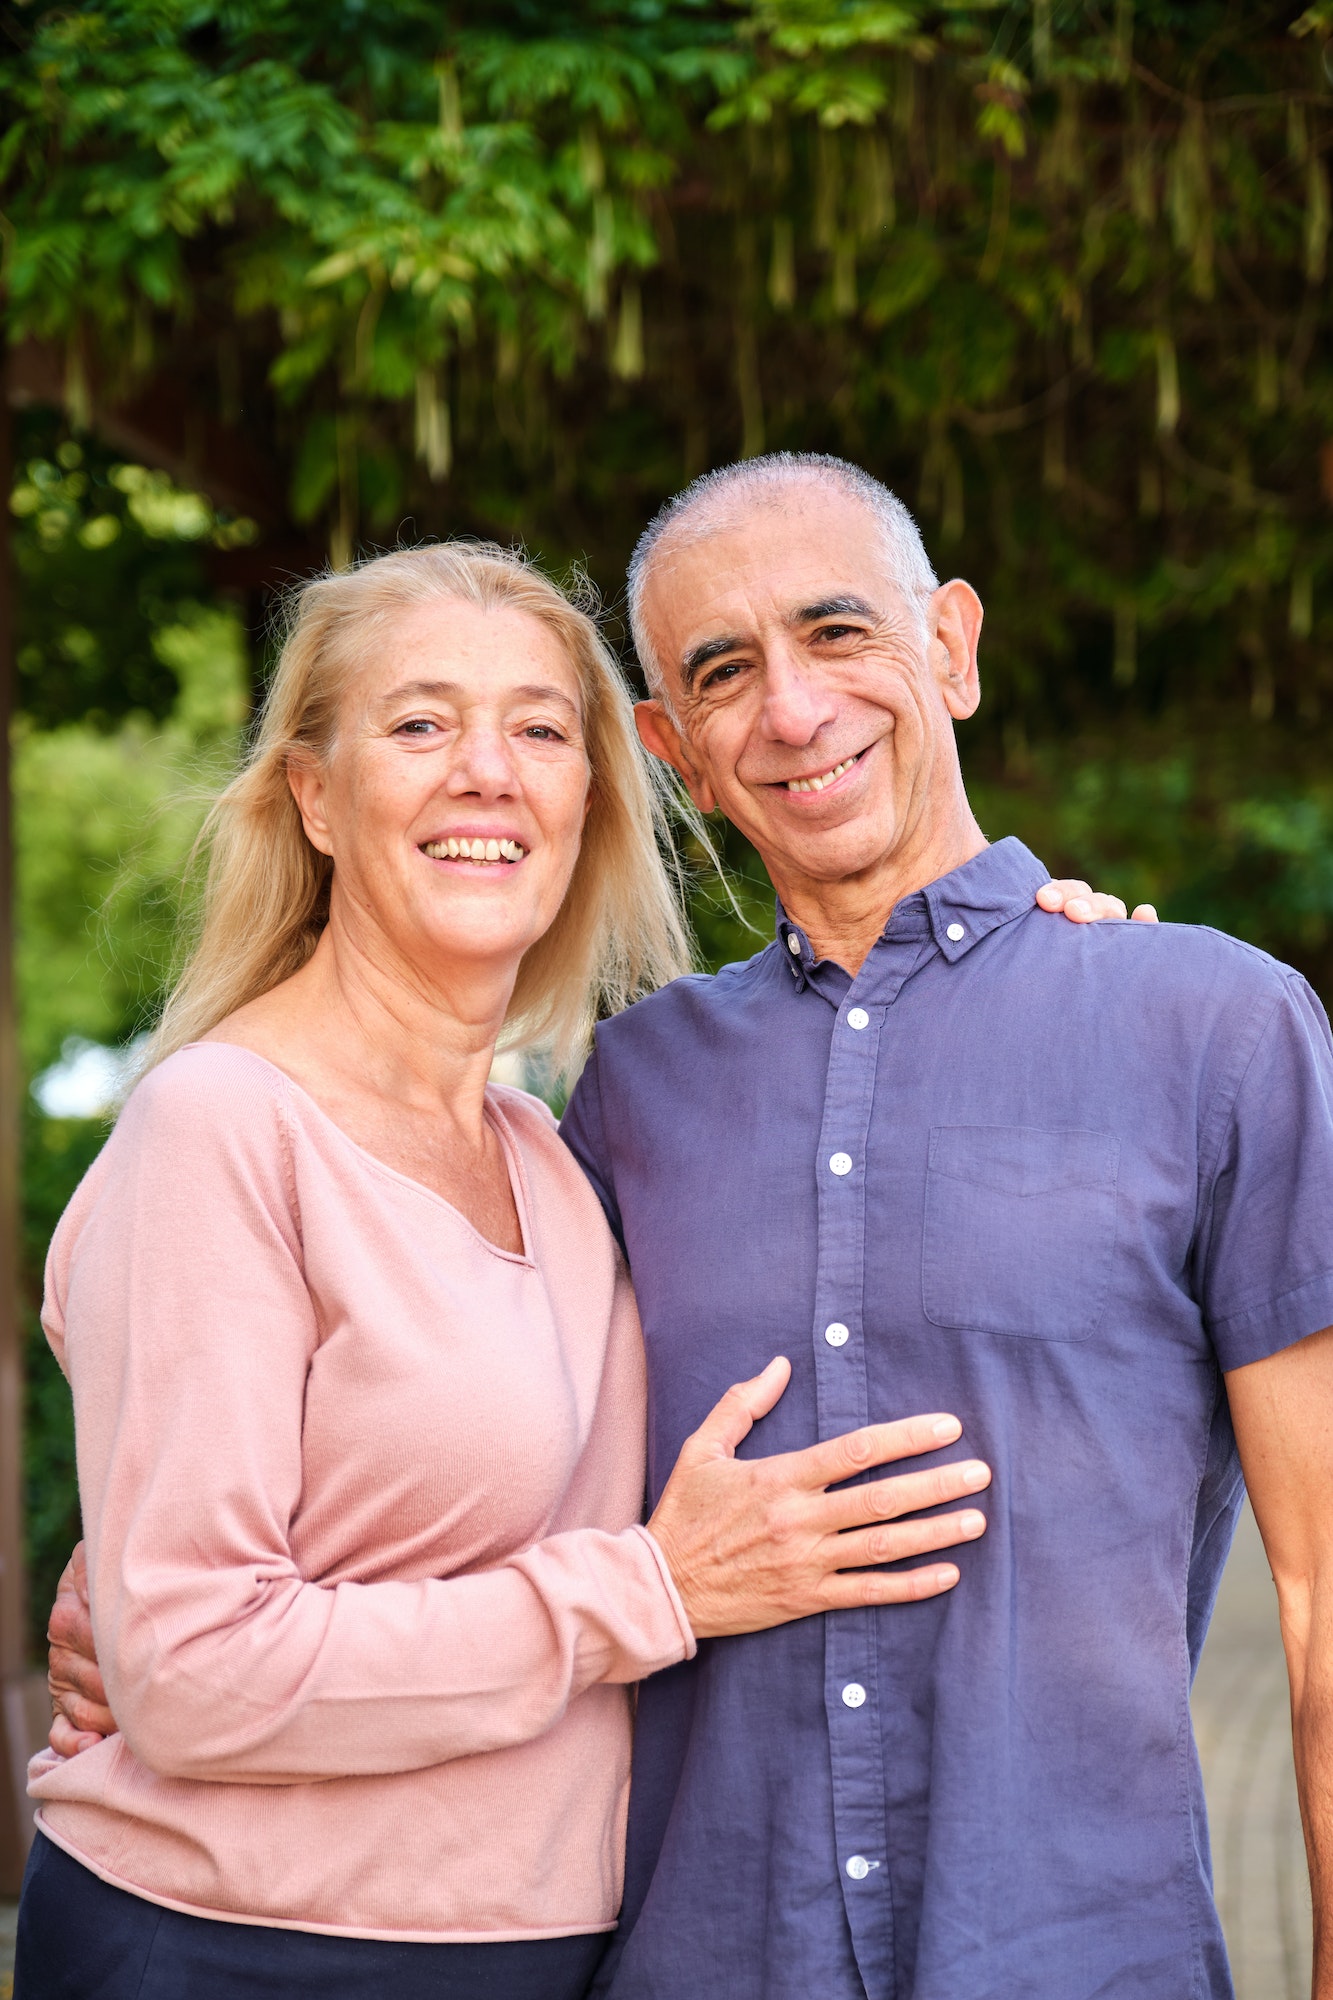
[(1052, 1179)]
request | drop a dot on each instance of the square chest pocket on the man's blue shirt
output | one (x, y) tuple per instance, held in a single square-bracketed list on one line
[(1020, 1231)]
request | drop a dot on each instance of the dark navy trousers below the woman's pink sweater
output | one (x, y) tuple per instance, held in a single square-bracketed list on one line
[(81, 1939)]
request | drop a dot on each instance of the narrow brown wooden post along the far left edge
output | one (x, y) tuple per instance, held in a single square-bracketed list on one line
[(15, 1817)]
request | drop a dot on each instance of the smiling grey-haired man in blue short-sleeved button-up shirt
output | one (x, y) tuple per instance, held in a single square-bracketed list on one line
[(1074, 1185)]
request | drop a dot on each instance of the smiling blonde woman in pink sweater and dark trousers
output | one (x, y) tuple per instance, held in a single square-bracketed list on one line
[(357, 1375)]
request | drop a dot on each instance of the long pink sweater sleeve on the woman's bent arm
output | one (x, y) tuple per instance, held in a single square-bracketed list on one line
[(179, 1311)]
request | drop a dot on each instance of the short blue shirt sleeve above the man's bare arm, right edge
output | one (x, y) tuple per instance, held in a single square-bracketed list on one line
[(1266, 1239)]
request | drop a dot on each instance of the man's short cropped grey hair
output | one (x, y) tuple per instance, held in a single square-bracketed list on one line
[(706, 499)]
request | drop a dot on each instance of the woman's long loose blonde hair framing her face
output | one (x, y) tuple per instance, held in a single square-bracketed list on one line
[(265, 903)]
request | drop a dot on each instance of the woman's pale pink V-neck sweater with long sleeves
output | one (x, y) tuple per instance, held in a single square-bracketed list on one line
[(361, 1501)]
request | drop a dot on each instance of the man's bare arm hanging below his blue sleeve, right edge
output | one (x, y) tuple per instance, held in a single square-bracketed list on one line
[(1284, 1423)]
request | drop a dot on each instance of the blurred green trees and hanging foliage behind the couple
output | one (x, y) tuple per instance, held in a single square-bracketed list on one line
[(287, 283)]
